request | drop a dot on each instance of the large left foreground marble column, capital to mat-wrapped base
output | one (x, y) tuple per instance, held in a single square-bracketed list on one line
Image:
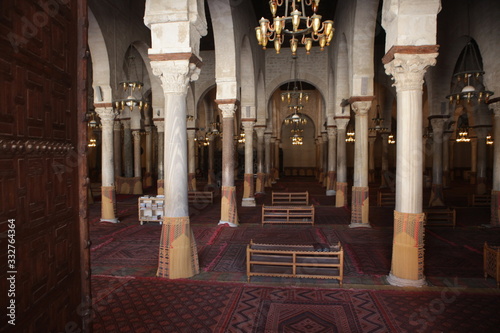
[(178, 255)]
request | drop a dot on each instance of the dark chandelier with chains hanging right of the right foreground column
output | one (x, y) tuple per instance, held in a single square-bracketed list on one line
[(467, 80)]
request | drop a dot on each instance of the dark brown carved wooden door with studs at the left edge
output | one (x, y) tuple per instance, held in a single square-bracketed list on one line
[(43, 256)]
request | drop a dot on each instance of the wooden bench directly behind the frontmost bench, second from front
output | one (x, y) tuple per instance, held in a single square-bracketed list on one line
[(288, 214)]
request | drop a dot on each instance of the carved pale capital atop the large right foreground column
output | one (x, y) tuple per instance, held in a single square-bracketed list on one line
[(408, 70)]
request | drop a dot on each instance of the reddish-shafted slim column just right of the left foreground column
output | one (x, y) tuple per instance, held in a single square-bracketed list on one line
[(229, 211)]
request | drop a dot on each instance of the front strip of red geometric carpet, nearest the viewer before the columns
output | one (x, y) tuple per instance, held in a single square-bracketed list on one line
[(159, 305)]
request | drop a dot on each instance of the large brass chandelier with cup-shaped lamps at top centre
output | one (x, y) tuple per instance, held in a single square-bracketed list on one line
[(295, 25)]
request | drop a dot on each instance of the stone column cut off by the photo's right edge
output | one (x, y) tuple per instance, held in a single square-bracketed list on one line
[(495, 191)]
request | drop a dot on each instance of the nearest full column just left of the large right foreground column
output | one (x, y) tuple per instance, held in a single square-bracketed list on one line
[(360, 207)]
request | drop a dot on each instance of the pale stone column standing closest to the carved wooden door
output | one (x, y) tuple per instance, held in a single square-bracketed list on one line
[(108, 201)]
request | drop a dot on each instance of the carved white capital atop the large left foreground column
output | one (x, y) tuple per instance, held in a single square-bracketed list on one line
[(175, 75)]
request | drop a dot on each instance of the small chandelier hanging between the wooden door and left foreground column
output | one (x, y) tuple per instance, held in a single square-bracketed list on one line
[(132, 90)]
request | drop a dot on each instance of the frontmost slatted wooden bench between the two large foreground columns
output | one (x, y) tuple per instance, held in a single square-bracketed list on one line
[(298, 261)]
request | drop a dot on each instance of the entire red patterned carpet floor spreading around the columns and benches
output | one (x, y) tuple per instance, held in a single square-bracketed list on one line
[(129, 298)]
